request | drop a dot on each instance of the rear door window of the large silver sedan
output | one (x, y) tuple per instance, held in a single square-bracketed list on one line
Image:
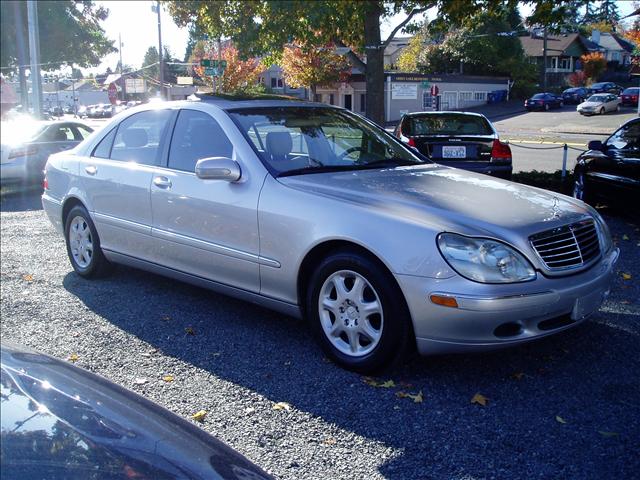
[(138, 137)]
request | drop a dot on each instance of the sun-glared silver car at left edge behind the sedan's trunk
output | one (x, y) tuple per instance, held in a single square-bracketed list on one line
[(27, 145)]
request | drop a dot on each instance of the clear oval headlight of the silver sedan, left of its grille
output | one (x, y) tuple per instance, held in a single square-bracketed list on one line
[(484, 260)]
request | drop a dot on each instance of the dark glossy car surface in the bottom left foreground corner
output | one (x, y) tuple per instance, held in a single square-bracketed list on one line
[(62, 422)]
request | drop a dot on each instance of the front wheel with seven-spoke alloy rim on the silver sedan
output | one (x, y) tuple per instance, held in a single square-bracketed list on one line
[(357, 312)]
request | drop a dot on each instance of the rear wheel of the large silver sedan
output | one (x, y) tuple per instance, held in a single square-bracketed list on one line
[(83, 245)]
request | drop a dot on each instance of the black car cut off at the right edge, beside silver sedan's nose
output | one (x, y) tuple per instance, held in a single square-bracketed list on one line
[(610, 171)]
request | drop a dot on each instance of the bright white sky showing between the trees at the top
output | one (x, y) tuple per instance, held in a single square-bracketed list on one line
[(138, 26)]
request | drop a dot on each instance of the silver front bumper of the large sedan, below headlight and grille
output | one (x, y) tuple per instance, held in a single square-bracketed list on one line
[(497, 316)]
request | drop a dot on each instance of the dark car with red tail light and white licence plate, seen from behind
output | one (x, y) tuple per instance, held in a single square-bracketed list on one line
[(457, 139)]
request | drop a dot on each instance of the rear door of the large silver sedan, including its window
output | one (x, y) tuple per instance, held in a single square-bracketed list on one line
[(117, 178)]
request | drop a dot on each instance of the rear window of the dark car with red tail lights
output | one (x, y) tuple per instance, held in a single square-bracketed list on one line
[(449, 124)]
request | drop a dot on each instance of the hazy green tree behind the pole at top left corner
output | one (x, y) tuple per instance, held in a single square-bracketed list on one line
[(70, 33)]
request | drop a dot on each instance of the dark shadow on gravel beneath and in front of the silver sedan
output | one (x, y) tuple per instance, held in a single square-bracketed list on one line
[(547, 401)]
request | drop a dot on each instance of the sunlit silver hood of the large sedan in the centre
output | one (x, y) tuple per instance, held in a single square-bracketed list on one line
[(450, 199)]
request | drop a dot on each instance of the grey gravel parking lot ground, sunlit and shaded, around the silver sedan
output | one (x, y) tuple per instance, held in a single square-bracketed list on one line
[(565, 407)]
